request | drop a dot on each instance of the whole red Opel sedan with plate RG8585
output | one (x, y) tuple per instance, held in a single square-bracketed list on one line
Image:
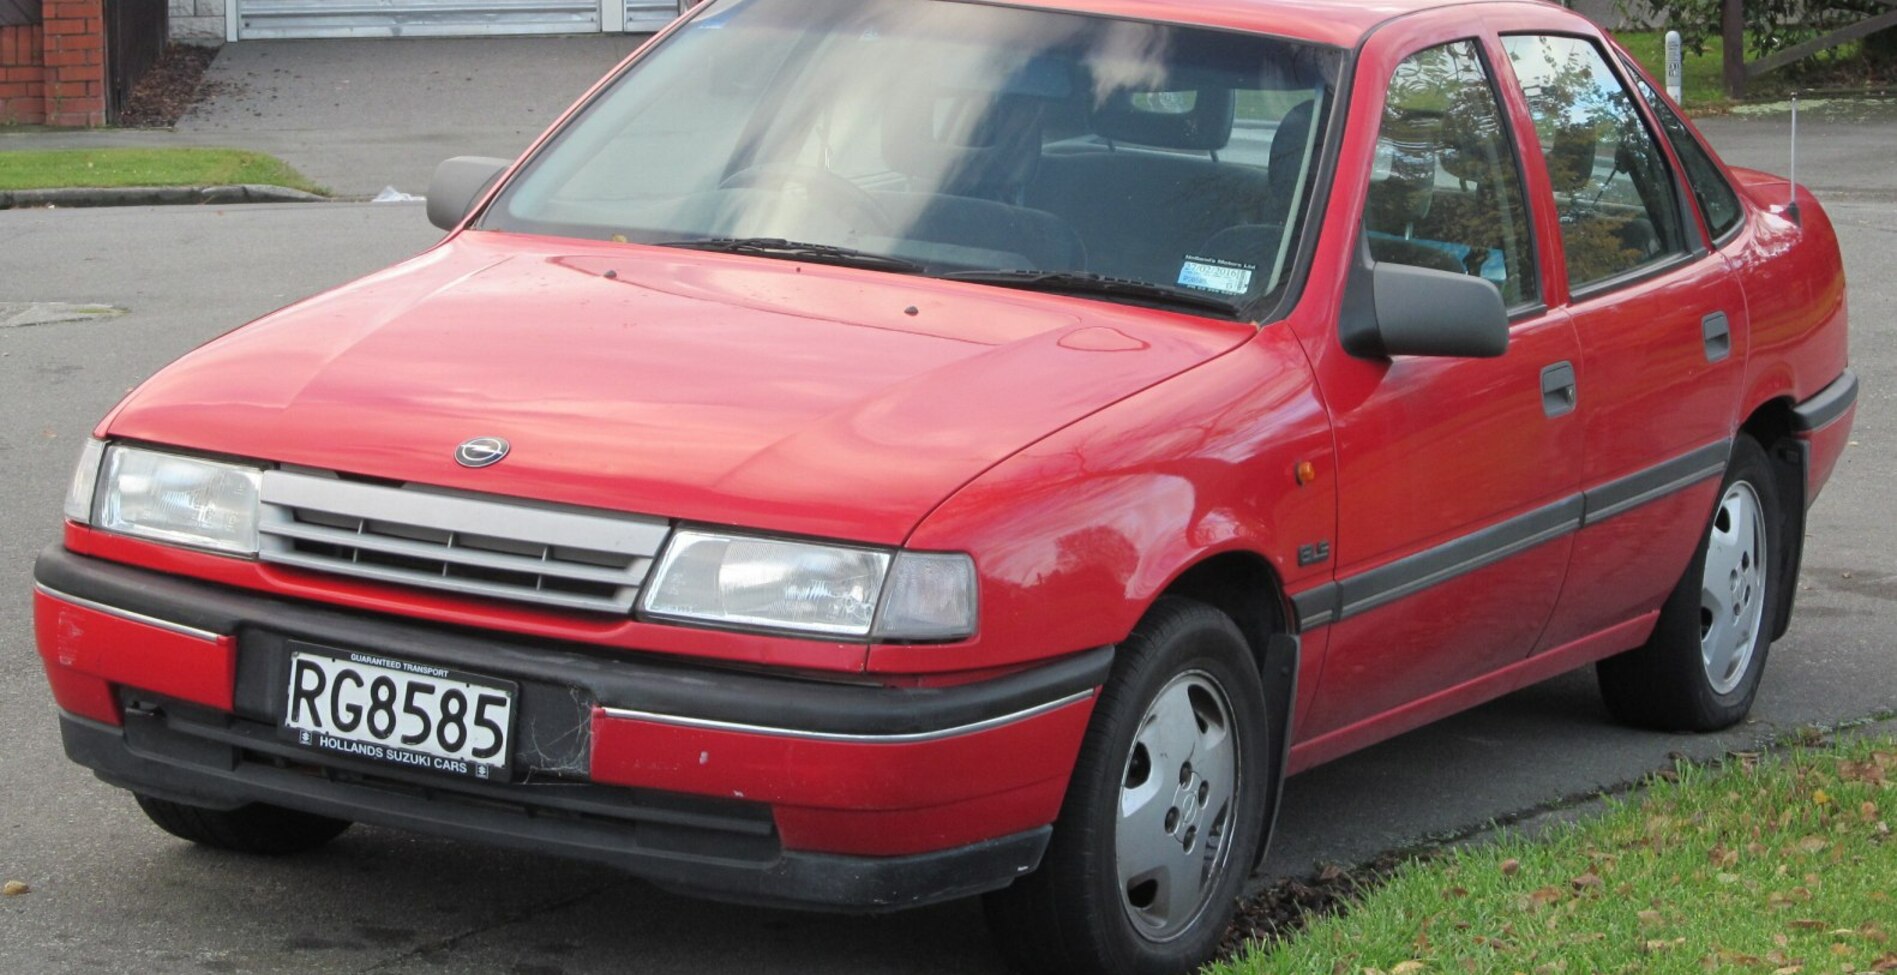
[(875, 452)]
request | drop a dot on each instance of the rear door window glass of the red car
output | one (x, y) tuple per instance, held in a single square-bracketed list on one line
[(1612, 185)]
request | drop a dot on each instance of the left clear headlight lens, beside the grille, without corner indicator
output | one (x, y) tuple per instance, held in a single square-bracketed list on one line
[(179, 500)]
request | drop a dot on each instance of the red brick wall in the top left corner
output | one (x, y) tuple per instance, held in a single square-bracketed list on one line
[(56, 73)]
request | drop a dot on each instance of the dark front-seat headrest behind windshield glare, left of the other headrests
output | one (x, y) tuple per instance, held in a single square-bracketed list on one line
[(965, 143)]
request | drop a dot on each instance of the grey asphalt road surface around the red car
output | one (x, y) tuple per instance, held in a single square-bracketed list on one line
[(115, 894)]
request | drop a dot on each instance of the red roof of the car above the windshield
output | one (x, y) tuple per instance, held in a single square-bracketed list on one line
[(1323, 22)]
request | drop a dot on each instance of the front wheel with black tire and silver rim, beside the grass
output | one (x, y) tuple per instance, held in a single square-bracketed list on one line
[(1139, 820)]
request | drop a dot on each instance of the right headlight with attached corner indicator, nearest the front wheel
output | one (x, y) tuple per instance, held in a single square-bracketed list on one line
[(813, 589)]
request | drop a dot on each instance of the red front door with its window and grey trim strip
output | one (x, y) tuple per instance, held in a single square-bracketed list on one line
[(1456, 477)]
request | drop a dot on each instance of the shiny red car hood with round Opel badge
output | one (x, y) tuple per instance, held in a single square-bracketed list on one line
[(707, 388)]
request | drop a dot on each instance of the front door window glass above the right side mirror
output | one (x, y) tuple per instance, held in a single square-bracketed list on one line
[(1446, 191)]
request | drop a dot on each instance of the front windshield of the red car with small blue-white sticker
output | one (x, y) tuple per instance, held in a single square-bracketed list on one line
[(1014, 147)]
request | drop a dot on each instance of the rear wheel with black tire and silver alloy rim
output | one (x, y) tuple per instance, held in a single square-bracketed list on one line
[(1701, 667)]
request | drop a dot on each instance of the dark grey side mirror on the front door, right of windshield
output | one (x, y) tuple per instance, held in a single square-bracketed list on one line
[(1426, 312)]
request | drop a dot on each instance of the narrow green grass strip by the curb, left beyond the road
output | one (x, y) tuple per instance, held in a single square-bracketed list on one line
[(52, 170)]
